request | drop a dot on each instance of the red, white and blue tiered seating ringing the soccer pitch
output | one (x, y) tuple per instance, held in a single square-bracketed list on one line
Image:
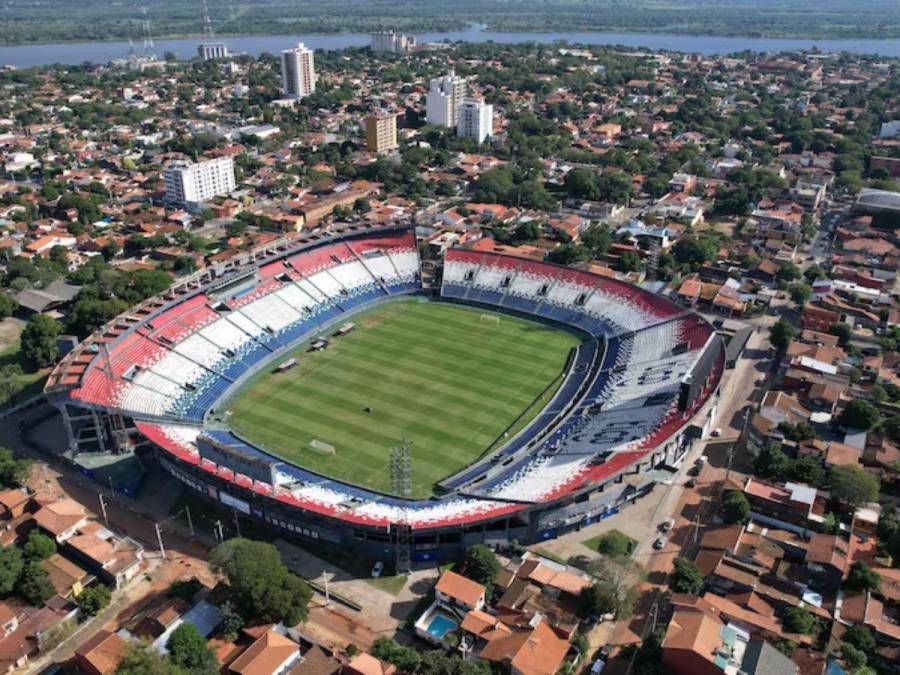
[(618, 401)]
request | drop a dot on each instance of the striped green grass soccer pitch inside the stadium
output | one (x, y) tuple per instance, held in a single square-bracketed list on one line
[(448, 378)]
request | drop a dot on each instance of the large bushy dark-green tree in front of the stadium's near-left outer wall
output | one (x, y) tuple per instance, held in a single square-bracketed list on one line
[(262, 586)]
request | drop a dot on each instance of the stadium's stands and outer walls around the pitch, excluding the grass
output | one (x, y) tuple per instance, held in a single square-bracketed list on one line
[(635, 394)]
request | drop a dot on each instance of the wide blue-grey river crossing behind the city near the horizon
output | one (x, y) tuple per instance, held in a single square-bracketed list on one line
[(102, 52)]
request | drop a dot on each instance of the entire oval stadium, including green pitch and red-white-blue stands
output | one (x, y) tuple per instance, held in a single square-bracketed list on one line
[(341, 389)]
